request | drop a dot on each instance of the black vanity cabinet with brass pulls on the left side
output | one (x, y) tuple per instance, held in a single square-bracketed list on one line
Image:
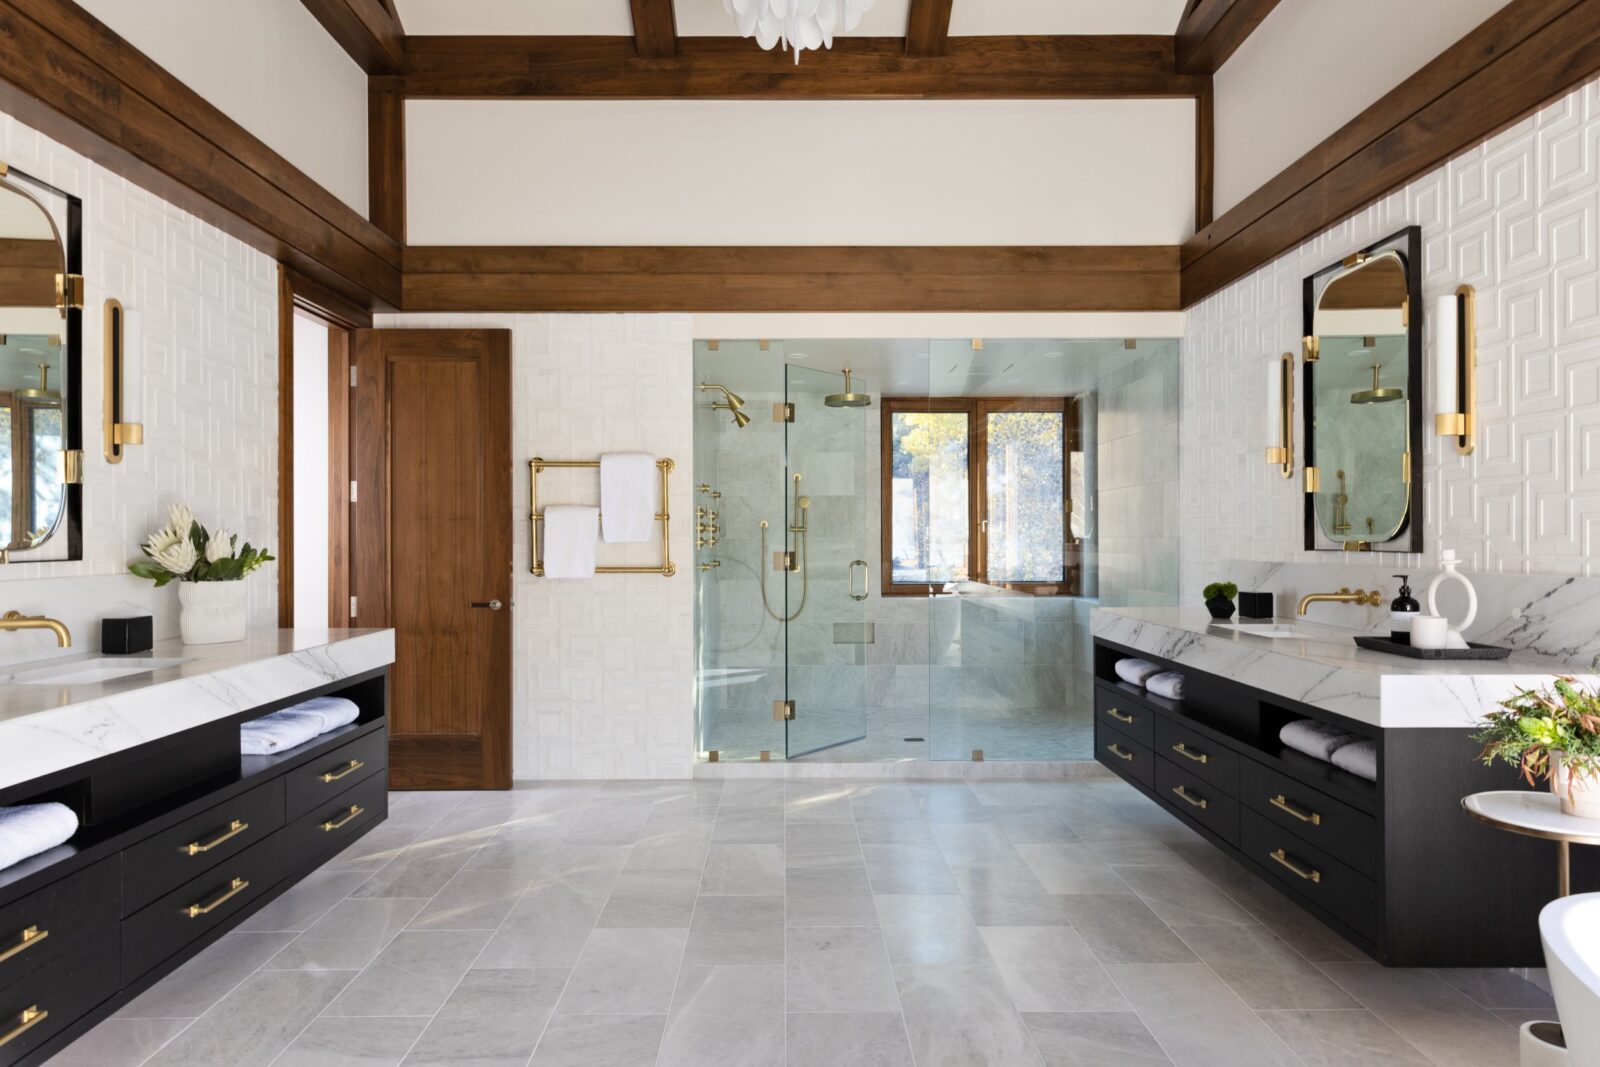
[(183, 839)]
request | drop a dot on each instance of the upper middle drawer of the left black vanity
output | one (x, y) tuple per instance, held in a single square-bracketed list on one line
[(199, 844)]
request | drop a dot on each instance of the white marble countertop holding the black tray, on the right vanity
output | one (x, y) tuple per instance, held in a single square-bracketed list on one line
[(1324, 668)]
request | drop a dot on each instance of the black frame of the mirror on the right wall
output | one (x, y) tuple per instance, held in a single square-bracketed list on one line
[(1409, 244)]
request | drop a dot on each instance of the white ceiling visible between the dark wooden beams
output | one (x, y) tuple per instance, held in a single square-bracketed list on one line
[(708, 18)]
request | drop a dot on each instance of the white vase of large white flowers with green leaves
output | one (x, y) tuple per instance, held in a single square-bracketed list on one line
[(210, 567)]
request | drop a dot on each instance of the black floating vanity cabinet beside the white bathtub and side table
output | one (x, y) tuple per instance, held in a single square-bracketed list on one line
[(1393, 866)]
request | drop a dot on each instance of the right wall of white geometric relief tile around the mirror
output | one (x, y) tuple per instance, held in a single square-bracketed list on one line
[(1516, 218)]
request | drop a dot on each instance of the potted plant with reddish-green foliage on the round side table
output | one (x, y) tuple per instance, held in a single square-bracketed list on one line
[(1551, 735)]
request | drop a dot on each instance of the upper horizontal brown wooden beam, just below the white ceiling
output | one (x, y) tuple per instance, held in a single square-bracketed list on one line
[(732, 68)]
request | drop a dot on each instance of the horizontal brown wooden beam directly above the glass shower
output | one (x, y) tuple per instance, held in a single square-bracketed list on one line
[(798, 279)]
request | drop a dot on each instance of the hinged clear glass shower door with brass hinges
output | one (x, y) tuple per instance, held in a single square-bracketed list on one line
[(830, 583)]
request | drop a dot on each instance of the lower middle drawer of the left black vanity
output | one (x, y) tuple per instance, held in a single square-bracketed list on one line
[(199, 906)]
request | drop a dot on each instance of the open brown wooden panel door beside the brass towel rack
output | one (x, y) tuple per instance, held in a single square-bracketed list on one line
[(431, 545)]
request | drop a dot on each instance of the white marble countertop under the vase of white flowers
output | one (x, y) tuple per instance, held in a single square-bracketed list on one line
[(47, 729)]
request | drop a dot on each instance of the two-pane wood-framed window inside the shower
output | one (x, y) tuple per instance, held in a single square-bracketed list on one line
[(982, 490)]
